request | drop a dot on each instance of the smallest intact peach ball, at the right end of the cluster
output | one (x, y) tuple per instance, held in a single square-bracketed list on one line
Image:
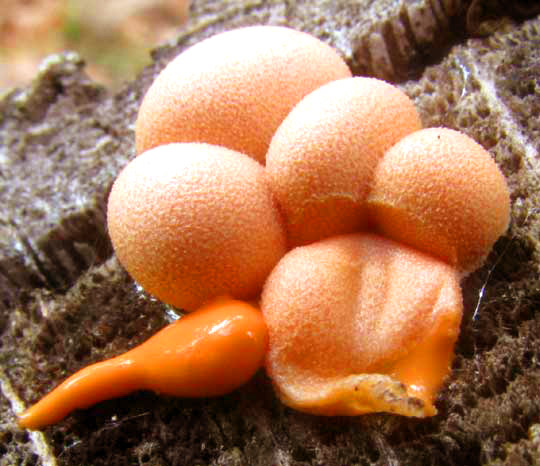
[(440, 192)]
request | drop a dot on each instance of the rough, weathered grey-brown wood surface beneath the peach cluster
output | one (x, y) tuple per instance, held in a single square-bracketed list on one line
[(65, 302)]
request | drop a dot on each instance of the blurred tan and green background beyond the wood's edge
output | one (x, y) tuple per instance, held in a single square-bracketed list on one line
[(114, 37)]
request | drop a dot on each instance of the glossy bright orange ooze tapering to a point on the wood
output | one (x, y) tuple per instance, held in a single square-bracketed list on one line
[(192, 357)]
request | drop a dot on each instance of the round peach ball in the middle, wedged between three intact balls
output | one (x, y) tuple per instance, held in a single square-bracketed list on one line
[(322, 158)]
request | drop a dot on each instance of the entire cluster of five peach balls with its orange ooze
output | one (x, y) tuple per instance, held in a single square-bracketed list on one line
[(267, 173)]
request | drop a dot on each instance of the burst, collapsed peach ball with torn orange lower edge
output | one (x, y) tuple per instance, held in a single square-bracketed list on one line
[(358, 324)]
